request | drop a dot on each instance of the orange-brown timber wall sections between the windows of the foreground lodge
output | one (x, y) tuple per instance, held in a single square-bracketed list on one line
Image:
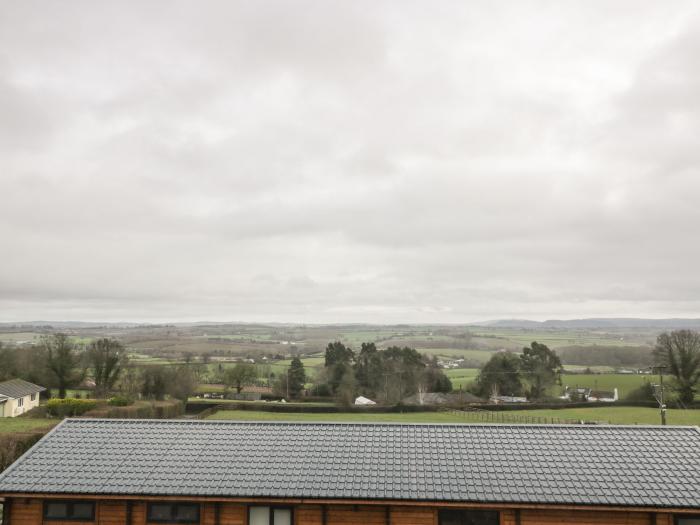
[(29, 511)]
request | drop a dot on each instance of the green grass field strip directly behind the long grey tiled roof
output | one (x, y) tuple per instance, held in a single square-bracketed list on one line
[(612, 415)]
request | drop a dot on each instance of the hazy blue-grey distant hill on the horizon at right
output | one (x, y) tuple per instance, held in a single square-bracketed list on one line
[(595, 322)]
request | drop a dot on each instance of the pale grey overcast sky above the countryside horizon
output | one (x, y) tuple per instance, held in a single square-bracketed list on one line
[(349, 161)]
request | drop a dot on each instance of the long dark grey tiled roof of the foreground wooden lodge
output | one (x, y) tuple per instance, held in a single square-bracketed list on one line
[(589, 465)]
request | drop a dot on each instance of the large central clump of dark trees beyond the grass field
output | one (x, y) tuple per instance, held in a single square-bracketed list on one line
[(387, 375)]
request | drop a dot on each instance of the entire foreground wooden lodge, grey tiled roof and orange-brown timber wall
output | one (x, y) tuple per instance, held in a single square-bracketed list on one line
[(141, 472)]
